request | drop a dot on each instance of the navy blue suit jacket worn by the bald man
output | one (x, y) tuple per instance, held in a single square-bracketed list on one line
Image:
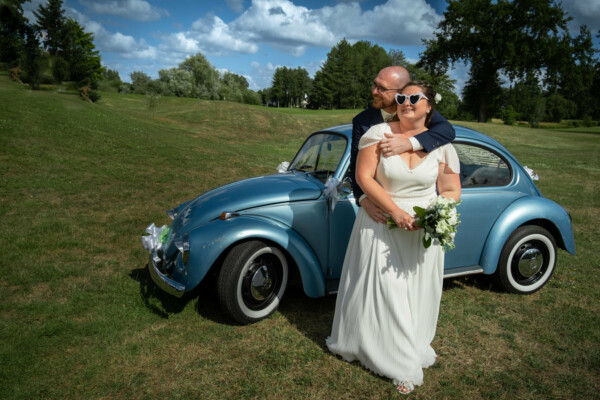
[(439, 133)]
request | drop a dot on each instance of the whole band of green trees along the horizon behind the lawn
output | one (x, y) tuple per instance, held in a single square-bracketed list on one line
[(523, 64)]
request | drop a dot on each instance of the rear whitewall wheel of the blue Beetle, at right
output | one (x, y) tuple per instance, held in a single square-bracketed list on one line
[(527, 260)]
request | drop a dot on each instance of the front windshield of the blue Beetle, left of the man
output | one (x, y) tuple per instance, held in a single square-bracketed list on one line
[(320, 155)]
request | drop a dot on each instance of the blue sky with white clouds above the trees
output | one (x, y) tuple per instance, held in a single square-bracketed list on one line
[(254, 37)]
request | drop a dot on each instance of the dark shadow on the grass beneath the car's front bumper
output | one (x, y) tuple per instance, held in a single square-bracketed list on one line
[(164, 305)]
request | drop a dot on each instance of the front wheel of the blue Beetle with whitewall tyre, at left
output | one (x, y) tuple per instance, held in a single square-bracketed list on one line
[(252, 281)]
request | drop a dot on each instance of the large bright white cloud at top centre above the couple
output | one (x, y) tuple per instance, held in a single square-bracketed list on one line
[(291, 28)]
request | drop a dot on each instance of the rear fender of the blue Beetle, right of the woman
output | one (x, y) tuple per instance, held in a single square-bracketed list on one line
[(538, 211)]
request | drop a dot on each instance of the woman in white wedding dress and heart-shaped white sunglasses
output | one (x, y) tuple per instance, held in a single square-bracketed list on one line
[(391, 286)]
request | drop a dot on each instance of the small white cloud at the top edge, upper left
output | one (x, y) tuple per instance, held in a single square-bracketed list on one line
[(138, 10)]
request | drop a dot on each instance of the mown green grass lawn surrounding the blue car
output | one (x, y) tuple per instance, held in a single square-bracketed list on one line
[(79, 318)]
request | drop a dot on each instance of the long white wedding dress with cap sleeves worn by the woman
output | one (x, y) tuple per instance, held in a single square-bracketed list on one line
[(391, 286)]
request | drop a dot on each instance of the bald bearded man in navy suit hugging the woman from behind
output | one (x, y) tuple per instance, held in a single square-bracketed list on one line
[(388, 82)]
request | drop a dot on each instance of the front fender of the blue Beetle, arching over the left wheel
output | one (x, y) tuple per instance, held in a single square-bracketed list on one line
[(207, 244)]
